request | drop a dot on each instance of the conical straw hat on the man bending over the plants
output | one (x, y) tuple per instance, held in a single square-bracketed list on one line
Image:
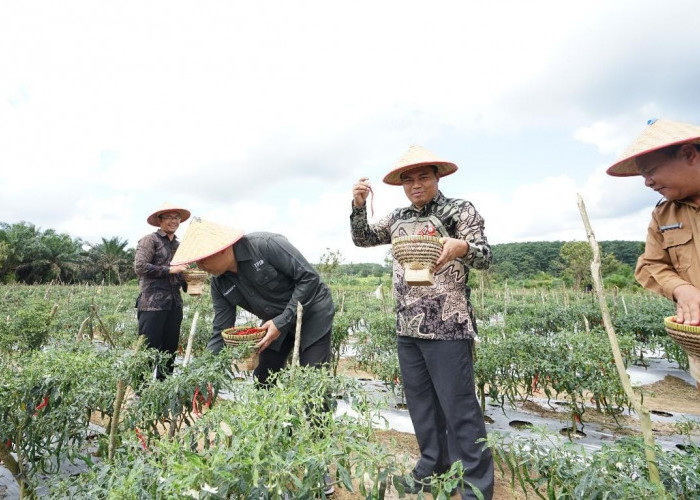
[(203, 239)]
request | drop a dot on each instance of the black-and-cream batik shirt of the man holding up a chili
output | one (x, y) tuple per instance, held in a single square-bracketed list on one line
[(441, 311)]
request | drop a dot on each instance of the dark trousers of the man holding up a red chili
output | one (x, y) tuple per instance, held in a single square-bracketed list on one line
[(438, 380)]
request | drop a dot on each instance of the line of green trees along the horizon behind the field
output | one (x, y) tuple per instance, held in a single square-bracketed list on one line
[(31, 255)]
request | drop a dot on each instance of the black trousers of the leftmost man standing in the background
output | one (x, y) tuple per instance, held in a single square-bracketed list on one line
[(162, 332)]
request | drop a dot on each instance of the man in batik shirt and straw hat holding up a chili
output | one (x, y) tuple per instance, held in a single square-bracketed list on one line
[(435, 324)]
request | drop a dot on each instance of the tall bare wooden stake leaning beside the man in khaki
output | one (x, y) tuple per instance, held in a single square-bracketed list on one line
[(644, 417)]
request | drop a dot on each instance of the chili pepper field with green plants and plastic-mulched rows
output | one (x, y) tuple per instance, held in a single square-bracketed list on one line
[(543, 366)]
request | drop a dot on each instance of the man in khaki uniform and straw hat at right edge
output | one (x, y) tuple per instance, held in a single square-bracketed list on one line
[(667, 156)]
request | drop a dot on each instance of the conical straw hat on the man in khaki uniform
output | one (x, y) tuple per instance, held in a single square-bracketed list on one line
[(657, 135)]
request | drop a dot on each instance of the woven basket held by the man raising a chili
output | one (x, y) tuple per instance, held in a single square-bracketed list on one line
[(417, 254)]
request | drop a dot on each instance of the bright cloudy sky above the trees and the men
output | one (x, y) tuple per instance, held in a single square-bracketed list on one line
[(261, 114)]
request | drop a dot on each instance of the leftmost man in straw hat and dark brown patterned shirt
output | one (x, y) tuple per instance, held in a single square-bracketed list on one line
[(159, 305)]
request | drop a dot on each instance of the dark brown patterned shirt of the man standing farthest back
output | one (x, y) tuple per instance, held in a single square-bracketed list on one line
[(158, 289)]
